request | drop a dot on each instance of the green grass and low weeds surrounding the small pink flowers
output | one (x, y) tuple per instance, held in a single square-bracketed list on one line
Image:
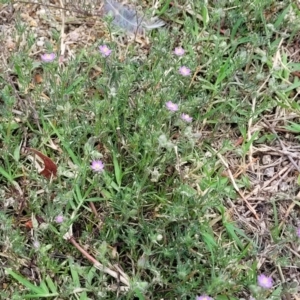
[(163, 203)]
